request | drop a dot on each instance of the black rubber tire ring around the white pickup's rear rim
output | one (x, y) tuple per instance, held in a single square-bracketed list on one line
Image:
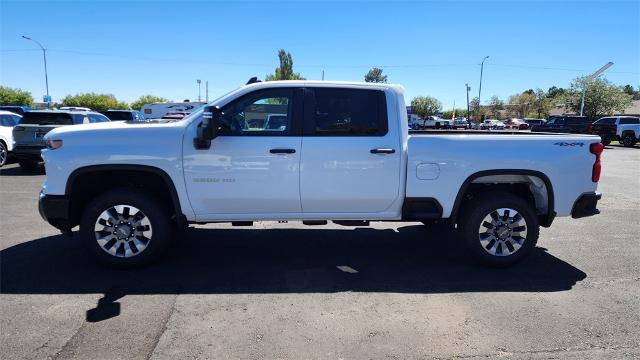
[(478, 209)]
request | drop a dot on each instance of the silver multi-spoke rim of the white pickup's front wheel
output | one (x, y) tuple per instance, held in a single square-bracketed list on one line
[(123, 231)]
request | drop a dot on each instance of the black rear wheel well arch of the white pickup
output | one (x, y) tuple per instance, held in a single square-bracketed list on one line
[(533, 188)]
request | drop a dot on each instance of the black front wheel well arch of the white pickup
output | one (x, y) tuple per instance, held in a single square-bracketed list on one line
[(85, 185)]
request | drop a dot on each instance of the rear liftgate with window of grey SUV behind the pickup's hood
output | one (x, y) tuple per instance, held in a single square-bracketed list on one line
[(35, 125)]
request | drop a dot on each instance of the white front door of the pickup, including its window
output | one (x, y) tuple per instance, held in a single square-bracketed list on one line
[(253, 166)]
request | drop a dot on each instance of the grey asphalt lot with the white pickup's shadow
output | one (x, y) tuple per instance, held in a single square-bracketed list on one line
[(276, 291)]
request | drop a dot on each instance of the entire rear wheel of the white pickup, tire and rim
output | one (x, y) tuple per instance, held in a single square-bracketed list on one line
[(473, 217)]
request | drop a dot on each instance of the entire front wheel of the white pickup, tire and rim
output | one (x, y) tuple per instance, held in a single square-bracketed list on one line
[(125, 228)]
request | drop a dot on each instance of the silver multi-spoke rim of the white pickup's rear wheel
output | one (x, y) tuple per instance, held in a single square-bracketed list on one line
[(502, 232)]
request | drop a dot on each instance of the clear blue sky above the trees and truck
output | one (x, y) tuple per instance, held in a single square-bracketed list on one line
[(130, 48)]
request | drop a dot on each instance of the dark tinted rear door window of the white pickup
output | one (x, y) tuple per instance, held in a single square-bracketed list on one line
[(346, 112)]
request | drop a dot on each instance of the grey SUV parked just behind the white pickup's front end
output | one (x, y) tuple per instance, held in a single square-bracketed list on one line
[(29, 134)]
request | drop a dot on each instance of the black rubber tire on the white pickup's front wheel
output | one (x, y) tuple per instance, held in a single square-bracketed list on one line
[(156, 212)]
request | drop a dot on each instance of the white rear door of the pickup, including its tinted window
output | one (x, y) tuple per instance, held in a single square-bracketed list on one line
[(351, 159)]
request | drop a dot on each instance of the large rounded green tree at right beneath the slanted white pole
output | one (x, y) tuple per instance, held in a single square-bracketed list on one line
[(601, 97)]
